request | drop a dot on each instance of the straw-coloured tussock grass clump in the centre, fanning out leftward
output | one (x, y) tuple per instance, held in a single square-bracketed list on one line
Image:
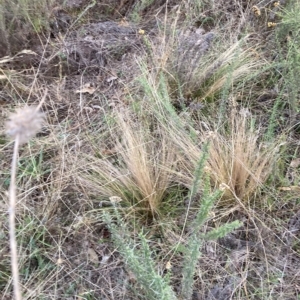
[(140, 172)]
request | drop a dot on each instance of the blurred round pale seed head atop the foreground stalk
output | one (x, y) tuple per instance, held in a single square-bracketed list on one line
[(25, 123)]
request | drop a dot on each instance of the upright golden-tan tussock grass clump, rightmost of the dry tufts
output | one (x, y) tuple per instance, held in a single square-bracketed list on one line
[(238, 161)]
